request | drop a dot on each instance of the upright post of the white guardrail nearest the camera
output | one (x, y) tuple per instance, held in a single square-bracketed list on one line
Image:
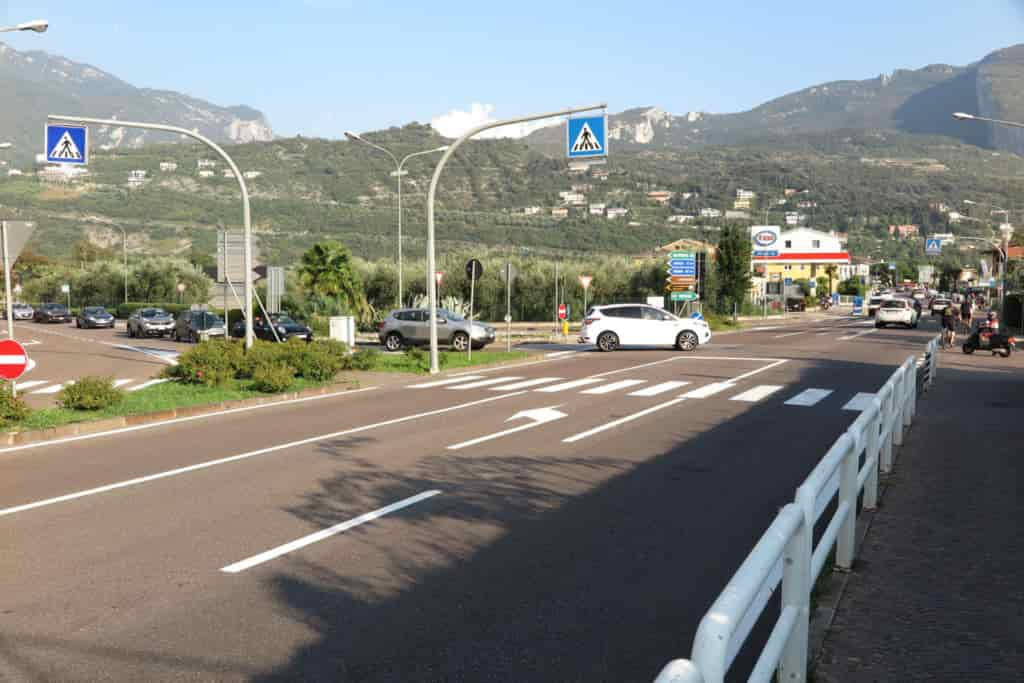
[(797, 593)]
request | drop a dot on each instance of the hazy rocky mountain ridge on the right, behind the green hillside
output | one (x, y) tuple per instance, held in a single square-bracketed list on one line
[(917, 102)]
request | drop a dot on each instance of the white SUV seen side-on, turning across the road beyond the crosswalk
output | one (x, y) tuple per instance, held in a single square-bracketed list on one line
[(639, 325)]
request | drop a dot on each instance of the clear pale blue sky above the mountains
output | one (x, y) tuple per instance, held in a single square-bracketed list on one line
[(322, 67)]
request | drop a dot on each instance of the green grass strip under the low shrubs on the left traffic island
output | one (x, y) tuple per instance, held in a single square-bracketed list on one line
[(152, 400)]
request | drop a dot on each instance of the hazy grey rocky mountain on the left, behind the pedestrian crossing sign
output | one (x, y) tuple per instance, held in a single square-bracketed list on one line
[(37, 83)]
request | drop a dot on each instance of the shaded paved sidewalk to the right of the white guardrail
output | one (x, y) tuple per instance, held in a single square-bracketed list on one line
[(937, 592)]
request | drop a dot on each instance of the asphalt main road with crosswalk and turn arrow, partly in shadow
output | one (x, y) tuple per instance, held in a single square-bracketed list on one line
[(567, 520)]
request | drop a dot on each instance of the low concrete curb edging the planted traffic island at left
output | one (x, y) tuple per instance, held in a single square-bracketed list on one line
[(108, 424)]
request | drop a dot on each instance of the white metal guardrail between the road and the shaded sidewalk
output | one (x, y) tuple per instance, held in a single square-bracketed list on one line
[(787, 553)]
